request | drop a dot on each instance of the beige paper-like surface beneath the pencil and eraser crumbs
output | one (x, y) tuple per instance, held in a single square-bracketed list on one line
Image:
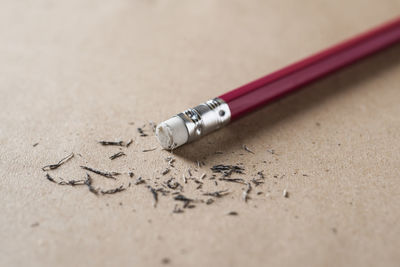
[(75, 72)]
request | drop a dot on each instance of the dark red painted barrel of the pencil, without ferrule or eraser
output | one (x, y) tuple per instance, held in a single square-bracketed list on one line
[(273, 86)]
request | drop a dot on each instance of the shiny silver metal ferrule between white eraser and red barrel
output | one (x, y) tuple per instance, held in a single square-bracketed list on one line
[(205, 118)]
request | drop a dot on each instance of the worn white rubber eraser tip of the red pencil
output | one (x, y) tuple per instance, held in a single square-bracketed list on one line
[(172, 133)]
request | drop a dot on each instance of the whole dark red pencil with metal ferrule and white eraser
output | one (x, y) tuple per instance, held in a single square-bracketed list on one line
[(213, 114)]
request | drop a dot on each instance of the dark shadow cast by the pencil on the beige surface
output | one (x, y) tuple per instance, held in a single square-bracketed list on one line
[(232, 137)]
